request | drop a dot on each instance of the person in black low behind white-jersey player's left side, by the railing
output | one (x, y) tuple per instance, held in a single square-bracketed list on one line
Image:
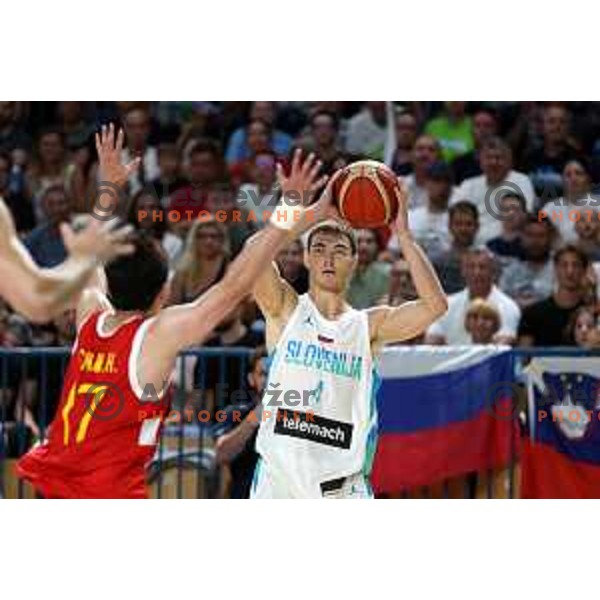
[(236, 437)]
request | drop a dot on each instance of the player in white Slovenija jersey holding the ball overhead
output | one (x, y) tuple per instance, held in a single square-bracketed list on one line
[(318, 432)]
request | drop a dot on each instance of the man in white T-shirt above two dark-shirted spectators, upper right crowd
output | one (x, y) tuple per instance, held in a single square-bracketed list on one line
[(498, 177)]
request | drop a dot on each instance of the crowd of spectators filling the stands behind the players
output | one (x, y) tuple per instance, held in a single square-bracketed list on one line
[(478, 176)]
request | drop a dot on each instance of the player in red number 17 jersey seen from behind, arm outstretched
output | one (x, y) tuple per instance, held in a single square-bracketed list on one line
[(114, 395)]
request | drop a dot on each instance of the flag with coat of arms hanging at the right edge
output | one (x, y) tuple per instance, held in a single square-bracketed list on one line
[(561, 455)]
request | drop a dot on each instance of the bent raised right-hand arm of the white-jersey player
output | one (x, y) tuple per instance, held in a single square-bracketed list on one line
[(389, 325)]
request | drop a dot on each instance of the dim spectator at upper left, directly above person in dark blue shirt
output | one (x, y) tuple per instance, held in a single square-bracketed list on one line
[(48, 169)]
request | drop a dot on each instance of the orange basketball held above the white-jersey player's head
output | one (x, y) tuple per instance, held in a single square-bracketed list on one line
[(367, 193)]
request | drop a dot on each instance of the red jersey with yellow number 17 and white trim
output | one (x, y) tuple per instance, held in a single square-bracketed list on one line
[(106, 426)]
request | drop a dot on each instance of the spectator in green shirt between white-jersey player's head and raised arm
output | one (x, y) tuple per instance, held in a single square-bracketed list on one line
[(371, 277)]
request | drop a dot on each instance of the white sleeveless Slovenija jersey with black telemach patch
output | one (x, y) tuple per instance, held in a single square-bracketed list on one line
[(319, 411)]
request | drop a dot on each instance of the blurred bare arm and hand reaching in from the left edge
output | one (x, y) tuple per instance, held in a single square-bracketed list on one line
[(42, 294)]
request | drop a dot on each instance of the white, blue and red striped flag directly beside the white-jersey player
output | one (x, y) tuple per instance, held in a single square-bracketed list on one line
[(443, 412)]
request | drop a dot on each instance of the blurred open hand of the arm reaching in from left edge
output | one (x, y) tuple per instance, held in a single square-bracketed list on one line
[(98, 241)]
